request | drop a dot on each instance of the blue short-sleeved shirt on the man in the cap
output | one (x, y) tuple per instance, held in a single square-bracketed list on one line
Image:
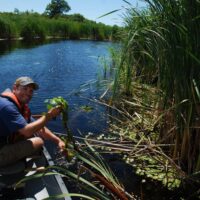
[(11, 119)]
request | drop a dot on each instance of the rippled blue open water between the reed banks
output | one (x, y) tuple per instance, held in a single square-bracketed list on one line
[(61, 68)]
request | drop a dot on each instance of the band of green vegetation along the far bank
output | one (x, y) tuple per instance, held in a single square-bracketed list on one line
[(31, 26)]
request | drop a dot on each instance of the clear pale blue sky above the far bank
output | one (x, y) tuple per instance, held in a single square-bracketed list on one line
[(90, 9)]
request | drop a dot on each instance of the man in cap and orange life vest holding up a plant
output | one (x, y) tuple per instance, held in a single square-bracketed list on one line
[(20, 135)]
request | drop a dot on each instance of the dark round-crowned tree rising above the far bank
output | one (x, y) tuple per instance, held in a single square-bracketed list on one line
[(57, 7)]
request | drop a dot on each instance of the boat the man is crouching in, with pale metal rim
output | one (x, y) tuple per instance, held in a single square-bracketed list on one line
[(37, 188)]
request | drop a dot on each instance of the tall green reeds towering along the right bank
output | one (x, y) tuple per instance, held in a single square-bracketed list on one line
[(161, 47)]
